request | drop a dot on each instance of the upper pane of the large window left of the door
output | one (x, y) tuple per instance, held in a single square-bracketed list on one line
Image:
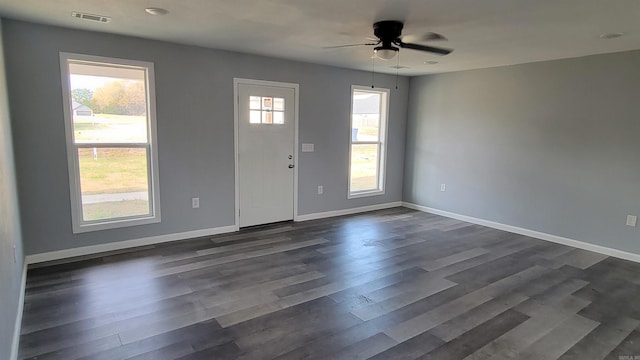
[(108, 104)]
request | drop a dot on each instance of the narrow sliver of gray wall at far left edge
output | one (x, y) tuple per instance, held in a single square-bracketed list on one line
[(10, 270)]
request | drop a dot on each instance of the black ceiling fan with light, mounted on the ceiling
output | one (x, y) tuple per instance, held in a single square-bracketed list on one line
[(389, 41)]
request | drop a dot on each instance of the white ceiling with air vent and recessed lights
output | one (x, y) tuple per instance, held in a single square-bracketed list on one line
[(483, 33)]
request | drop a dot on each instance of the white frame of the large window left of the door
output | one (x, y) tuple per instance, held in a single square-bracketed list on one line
[(78, 223)]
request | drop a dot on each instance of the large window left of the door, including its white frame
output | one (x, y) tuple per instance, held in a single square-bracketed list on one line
[(109, 107)]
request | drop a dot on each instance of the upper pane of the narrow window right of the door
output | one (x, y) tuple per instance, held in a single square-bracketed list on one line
[(366, 116)]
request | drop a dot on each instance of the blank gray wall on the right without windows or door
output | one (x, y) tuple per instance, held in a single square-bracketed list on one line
[(550, 146)]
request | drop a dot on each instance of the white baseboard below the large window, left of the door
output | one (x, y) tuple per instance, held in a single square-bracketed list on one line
[(95, 249)]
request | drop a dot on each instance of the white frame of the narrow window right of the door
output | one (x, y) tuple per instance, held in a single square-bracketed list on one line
[(382, 141)]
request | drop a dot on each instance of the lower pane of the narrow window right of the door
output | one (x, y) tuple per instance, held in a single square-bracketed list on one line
[(364, 167)]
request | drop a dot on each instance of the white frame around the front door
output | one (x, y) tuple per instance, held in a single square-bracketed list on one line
[(296, 87)]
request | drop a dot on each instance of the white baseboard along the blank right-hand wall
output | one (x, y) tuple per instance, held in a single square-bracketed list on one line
[(531, 233)]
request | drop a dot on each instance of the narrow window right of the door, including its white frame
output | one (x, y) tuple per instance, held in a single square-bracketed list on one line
[(368, 148)]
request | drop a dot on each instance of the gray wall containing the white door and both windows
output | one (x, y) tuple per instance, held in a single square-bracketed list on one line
[(194, 89)]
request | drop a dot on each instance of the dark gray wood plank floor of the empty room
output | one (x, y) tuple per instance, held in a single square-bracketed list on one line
[(391, 284)]
